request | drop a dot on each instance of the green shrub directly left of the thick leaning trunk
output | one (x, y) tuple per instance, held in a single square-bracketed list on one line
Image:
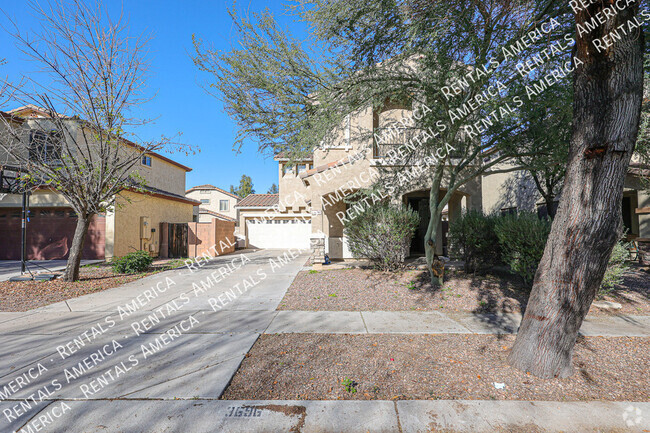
[(522, 238)]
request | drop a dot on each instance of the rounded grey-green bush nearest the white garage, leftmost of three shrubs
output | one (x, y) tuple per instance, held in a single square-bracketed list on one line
[(382, 234)]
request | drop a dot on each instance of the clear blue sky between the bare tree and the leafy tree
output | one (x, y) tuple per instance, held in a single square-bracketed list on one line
[(181, 105)]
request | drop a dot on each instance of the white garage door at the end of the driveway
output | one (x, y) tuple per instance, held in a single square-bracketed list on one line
[(278, 233)]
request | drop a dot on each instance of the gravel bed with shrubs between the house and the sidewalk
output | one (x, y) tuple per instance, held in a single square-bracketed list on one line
[(368, 290)]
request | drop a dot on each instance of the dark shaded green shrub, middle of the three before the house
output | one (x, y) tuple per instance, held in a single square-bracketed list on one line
[(472, 239)]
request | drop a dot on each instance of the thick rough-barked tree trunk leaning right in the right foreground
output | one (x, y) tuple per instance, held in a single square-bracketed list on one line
[(608, 89)]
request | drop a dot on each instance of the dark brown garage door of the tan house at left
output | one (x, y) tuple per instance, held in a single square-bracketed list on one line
[(49, 234)]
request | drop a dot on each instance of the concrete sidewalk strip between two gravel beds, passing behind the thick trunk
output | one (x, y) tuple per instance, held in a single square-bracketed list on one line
[(435, 322)]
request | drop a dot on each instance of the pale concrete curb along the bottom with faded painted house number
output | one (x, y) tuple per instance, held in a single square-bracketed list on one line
[(459, 416)]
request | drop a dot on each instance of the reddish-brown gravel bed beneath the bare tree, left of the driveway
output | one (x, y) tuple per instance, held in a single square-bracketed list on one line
[(26, 295)]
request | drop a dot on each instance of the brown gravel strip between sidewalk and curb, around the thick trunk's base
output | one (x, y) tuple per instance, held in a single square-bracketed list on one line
[(383, 367)]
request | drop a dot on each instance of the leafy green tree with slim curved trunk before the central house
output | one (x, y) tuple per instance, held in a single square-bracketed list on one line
[(375, 54)]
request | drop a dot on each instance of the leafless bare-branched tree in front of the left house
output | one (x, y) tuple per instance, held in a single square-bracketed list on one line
[(92, 74)]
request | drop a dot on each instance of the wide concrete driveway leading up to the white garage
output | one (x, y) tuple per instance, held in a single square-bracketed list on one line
[(176, 335)]
